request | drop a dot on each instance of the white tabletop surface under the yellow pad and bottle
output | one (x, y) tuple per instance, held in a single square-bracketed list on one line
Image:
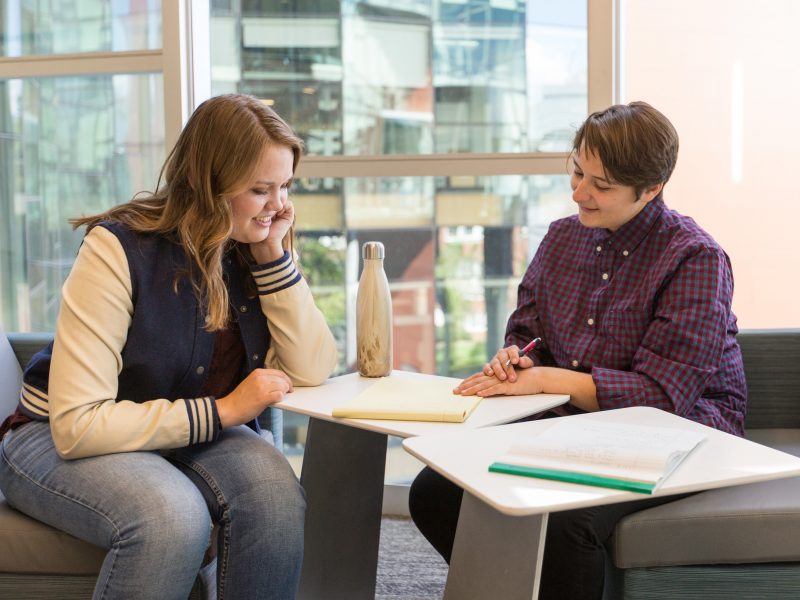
[(319, 402)]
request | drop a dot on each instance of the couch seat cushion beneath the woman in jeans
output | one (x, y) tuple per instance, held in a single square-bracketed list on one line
[(29, 546)]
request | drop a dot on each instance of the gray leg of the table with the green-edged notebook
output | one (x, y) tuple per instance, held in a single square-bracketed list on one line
[(495, 555)]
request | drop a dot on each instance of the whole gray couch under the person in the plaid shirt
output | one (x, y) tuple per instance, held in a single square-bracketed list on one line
[(739, 542)]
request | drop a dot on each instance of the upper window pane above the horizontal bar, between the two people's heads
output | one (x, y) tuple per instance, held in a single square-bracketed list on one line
[(373, 77)]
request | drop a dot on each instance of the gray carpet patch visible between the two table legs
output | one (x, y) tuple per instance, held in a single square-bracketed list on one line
[(408, 567)]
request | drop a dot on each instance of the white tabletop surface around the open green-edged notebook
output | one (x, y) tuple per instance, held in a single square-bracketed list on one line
[(464, 458)]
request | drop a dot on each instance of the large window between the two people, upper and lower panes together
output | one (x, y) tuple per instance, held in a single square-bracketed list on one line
[(384, 81)]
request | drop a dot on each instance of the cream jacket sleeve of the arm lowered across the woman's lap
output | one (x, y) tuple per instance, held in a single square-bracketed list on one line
[(86, 417)]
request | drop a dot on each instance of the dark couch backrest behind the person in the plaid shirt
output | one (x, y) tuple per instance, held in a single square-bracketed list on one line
[(772, 368)]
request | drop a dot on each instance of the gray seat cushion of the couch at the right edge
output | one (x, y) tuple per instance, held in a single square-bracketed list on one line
[(754, 523)]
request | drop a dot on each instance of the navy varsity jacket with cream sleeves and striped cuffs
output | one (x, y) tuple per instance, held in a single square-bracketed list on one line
[(131, 354)]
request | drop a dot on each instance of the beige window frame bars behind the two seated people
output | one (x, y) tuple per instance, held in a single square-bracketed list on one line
[(184, 62)]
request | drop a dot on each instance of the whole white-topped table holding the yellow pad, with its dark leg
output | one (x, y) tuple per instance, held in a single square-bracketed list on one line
[(343, 475)]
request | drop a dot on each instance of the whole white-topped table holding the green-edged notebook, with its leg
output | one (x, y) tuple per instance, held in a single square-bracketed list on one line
[(501, 528)]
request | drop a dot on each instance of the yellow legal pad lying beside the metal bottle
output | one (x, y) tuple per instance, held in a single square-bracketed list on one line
[(397, 399)]
